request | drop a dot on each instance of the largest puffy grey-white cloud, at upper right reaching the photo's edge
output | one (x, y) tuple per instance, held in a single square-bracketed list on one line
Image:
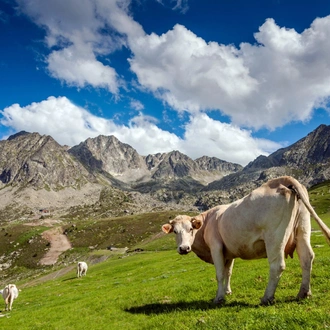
[(281, 79)]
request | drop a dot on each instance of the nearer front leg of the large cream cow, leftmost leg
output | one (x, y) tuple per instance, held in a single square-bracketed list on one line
[(219, 264)]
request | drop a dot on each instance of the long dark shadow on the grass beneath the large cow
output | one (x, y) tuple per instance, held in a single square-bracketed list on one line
[(159, 308)]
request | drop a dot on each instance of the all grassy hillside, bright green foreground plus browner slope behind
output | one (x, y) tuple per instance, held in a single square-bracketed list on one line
[(151, 286)]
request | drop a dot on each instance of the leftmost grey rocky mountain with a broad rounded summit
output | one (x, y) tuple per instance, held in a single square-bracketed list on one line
[(31, 160)]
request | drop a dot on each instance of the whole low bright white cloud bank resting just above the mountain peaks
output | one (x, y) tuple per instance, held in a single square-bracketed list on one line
[(69, 125)]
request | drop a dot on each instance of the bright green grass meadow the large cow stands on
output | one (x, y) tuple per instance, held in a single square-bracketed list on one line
[(159, 289)]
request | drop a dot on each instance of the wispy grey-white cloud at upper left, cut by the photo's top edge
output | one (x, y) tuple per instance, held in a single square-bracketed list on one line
[(79, 34)]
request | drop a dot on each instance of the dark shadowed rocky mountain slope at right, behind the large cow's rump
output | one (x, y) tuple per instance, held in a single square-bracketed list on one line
[(308, 160)]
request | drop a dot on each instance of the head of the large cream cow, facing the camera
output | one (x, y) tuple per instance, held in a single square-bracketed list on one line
[(185, 229)]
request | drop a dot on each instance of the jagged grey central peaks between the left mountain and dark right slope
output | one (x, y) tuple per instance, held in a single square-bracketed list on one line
[(107, 154)]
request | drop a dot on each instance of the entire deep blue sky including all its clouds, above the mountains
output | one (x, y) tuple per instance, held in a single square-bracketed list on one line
[(232, 79)]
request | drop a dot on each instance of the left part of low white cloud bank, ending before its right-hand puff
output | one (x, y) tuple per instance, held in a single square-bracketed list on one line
[(70, 124)]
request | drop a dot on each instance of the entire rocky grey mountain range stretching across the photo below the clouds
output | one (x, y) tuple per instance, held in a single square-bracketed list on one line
[(35, 171)]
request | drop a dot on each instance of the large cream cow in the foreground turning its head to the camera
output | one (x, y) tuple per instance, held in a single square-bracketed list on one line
[(271, 222)]
